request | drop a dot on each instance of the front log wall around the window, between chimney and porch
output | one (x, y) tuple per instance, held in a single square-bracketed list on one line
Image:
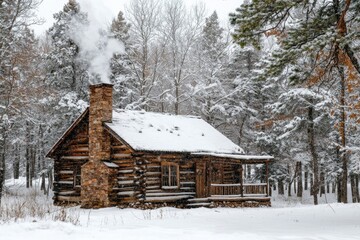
[(139, 176)]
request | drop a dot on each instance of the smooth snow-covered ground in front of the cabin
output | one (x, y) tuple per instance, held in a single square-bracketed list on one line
[(285, 220)]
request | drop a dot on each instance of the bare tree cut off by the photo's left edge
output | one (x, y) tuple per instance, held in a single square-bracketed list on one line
[(15, 17)]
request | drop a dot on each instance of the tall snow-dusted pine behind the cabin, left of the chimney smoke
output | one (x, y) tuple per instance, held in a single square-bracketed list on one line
[(67, 73)]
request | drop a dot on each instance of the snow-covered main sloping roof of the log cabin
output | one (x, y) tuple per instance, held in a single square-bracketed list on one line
[(148, 131)]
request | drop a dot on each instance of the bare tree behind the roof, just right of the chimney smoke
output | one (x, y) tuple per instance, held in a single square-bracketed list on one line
[(145, 18)]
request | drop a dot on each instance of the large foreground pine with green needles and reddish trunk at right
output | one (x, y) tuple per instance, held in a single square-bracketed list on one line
[(321, 32)]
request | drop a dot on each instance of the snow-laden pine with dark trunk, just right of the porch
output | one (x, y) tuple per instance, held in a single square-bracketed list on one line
[(302, 123)]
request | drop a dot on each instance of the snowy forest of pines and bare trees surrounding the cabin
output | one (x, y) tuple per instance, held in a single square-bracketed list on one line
[(283, 79)]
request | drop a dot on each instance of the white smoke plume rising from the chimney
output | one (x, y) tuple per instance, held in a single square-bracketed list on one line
[(95, 46)]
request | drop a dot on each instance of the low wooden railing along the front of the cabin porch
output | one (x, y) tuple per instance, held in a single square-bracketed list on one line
[(251, 189)]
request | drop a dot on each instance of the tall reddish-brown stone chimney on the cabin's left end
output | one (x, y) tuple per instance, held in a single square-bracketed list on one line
[(96, 178)]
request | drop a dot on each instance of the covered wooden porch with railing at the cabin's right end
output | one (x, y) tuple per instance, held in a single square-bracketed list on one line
[(232, 182)]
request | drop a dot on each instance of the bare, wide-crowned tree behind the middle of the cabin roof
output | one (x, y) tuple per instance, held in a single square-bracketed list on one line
[(180, 31)]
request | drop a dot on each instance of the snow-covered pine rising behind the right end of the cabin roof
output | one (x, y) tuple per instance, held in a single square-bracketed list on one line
[(245, 104)]
